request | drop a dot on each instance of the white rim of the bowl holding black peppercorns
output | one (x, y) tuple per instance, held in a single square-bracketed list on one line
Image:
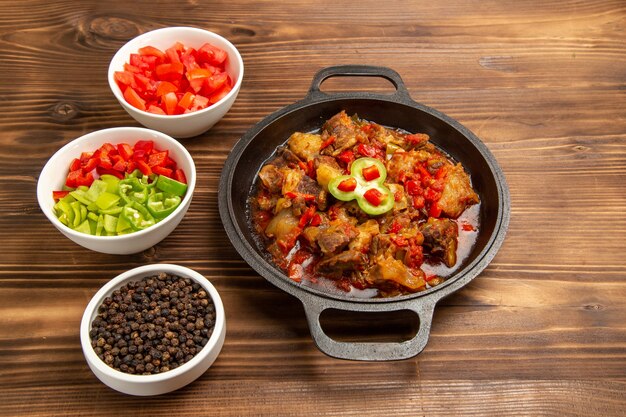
[(137, 274)]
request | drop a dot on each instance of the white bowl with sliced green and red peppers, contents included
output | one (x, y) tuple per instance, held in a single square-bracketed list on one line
[(119, 190)]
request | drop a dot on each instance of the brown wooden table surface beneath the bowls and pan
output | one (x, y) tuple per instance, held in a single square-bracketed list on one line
[(542, 331)]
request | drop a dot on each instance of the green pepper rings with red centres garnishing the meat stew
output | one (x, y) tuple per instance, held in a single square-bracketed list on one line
[(344, 189)]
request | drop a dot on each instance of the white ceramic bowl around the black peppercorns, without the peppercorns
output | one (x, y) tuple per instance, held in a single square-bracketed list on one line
[(157, 383)]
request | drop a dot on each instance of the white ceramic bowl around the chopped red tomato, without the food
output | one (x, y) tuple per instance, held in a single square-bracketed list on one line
[(184, 125)]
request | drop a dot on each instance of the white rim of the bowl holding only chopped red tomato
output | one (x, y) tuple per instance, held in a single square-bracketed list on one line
[(120, 97)]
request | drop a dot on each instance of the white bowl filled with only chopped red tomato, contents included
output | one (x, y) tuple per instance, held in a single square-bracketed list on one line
[(178, 80)]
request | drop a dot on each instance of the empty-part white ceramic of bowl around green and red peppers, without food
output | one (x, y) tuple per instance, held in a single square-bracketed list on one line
[(53, 176)]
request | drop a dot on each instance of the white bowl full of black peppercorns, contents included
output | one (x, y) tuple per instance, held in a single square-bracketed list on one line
[(153, 329)]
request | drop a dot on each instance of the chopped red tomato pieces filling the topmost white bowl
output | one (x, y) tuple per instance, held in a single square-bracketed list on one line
[(175, 81)]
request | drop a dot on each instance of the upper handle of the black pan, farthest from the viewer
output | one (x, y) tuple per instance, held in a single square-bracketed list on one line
[(401, 93)]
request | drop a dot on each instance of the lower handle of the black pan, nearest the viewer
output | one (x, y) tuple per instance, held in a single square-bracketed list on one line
[(367, 351)]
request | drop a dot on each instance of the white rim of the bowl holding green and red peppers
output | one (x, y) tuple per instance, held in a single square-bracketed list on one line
[(48, 210)]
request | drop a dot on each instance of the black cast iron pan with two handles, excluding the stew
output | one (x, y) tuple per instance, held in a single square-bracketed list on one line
[(395, 110)]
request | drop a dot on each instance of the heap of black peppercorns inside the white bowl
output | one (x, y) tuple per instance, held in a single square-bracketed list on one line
[(138, 330)]
